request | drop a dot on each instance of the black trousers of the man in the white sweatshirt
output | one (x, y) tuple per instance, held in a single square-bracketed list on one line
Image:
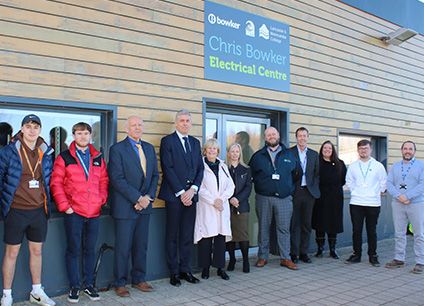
[(370, 214)]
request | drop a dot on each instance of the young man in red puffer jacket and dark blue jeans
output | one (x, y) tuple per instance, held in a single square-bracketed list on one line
[(79, 187)]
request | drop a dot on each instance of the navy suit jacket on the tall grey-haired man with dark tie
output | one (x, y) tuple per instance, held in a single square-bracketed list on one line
[(177, 168)]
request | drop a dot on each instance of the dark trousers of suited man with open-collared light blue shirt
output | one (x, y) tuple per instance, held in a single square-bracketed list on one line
[(300, 230)]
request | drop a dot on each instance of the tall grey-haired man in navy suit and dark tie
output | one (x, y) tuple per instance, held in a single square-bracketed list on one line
[(182, 168)]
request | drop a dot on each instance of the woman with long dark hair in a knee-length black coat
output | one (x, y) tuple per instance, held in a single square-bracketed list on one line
[(328, 210)]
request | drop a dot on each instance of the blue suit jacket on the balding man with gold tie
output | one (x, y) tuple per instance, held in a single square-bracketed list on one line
[(127, 179)]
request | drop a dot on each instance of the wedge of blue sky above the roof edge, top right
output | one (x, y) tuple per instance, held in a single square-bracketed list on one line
[(405, 13)]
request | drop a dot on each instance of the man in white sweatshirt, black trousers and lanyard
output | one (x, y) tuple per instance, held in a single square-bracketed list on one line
[(366, 179)]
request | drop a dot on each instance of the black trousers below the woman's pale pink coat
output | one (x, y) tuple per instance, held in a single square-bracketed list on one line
[(214, 246)]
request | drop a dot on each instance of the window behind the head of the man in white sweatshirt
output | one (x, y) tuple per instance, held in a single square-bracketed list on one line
[(348, 147)]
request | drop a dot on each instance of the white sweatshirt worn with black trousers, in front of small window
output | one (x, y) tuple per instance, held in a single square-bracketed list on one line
[(366, 181)]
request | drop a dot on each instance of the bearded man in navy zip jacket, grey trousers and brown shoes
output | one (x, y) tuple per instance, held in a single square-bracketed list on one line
[(273, 169)]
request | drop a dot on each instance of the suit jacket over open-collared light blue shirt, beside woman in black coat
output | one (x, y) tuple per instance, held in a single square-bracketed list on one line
[(312, 171)]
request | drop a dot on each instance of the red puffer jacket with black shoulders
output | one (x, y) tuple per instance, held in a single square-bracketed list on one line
[(70, 188)]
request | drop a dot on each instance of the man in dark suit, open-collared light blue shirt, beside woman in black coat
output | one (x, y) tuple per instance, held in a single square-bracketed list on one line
[(306, 191)]
